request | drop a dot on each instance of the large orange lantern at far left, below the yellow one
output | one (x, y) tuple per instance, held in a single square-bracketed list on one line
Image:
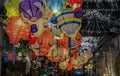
[(16, 29)]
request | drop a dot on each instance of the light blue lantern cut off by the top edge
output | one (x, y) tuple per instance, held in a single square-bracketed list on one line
[(55, 5)]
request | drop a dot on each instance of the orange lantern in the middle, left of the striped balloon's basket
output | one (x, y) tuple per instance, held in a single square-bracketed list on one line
[(45, 41)]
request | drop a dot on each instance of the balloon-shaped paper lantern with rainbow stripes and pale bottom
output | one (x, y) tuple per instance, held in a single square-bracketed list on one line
[(67, 22)]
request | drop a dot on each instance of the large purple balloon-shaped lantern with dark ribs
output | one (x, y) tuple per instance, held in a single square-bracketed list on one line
[(32, 9)]
